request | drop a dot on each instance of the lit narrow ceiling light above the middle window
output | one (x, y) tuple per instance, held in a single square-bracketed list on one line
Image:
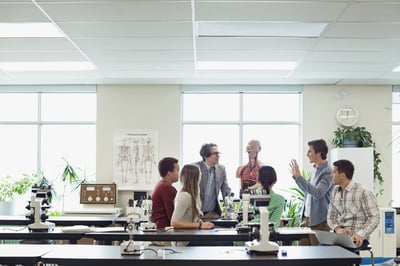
[(232, 65)]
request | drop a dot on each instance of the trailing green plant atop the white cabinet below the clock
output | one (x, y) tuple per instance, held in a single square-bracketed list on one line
[(363, 138)]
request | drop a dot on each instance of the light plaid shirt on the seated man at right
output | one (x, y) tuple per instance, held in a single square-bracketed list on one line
[(356, 210)]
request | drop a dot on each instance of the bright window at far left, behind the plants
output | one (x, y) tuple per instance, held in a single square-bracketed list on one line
[(40, 127)]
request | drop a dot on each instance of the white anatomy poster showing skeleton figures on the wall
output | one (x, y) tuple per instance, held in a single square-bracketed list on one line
[(135, 159)]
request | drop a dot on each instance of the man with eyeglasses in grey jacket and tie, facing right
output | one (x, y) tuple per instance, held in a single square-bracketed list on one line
[(213, 180)]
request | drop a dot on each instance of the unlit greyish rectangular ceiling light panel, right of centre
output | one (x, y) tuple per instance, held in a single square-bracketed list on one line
[(259, 29)]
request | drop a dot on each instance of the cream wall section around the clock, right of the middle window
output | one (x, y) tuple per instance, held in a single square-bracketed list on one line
[(374, 105)]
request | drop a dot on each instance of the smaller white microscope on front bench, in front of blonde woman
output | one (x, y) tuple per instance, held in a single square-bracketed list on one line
[(130, 247)]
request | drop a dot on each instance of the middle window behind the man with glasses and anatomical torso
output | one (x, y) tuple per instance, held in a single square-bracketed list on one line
[(230, 117)]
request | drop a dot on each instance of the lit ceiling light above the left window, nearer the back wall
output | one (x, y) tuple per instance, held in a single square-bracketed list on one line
[(47, 66)]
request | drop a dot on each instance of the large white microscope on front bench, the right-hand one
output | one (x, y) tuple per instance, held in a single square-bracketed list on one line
[(263, 245)]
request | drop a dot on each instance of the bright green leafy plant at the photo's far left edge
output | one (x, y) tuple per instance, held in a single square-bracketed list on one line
[(11, 187)]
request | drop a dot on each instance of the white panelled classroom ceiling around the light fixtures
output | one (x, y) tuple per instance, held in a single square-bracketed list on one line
[(153, 41)]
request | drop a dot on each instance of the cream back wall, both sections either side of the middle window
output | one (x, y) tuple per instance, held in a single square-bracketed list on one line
[(158, 107)]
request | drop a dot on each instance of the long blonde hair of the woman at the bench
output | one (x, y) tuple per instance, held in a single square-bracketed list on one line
[(190, 177)]
